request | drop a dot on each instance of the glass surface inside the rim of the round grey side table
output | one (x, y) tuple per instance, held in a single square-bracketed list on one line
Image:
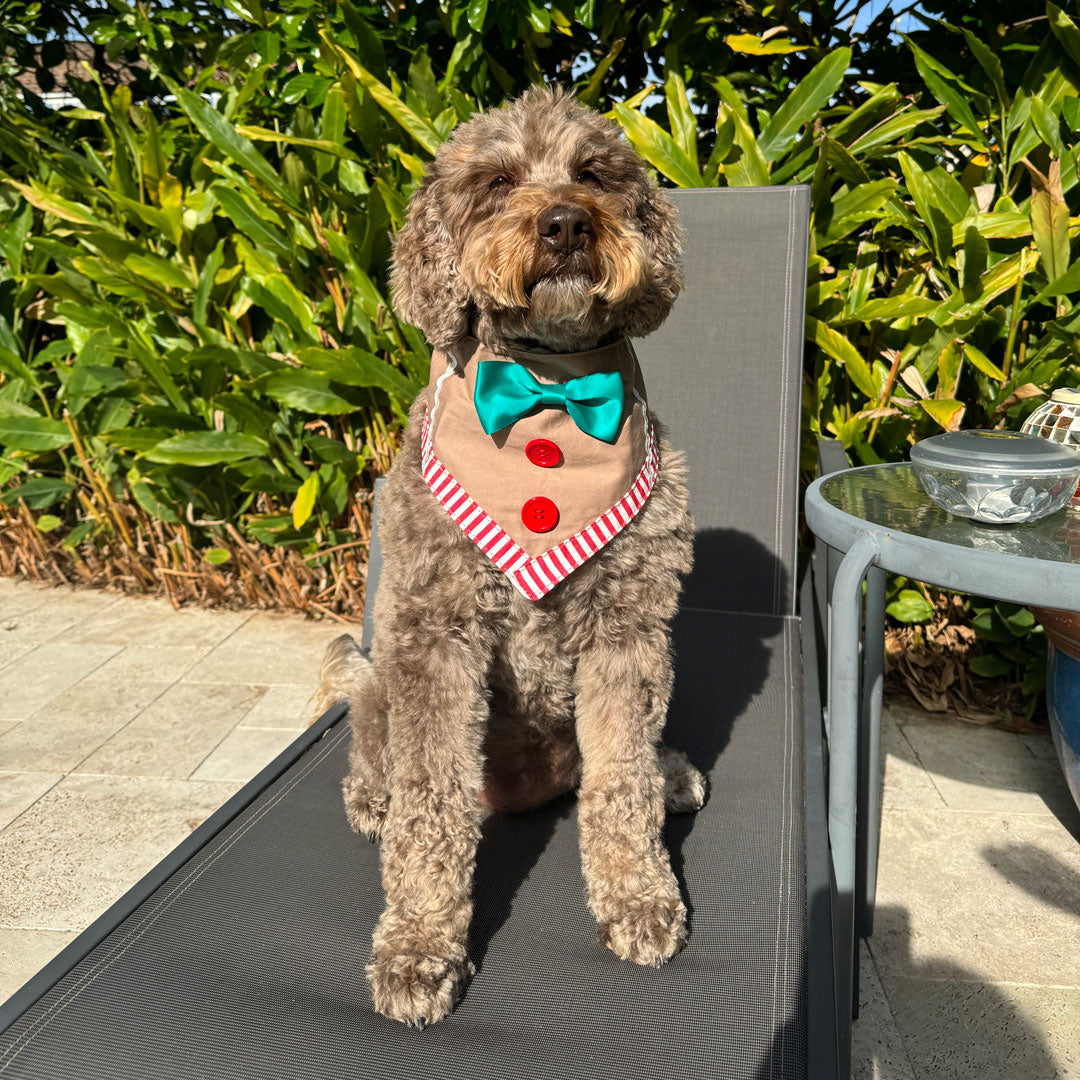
[(892, 498)]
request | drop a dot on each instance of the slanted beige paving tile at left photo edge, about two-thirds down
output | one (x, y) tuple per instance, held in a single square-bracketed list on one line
[(76, 723)]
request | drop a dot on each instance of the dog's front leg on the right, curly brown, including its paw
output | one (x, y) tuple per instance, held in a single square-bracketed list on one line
[(623, 693)]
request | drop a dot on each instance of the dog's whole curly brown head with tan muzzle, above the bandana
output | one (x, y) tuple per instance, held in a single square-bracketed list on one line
[(537, 223)]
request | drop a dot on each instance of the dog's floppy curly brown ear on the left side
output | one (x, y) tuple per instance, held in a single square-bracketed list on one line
[(426, 287)]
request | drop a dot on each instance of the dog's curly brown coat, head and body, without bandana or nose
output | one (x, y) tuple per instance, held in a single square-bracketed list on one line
[(478, 699)]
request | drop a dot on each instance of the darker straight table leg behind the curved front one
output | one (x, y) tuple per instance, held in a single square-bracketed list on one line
[(870, 752)]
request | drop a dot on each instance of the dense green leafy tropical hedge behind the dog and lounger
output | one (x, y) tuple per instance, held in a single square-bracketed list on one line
[(194, 316)]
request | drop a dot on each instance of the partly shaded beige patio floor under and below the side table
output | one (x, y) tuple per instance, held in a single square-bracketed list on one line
[(974, 970)]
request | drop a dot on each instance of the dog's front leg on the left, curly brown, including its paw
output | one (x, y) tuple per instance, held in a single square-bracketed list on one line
[(437, 721)]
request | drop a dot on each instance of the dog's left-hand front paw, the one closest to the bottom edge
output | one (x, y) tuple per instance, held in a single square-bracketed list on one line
[(415, 989)]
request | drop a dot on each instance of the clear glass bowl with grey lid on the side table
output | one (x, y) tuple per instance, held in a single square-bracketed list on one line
[(997, 477)]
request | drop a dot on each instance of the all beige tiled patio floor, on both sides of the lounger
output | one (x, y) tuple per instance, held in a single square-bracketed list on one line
[(124, 724)]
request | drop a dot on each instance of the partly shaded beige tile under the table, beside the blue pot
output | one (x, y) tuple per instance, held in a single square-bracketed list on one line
[(979, 768)]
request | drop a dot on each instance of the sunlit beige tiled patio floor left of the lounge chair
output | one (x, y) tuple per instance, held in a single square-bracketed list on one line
[(125, 724)]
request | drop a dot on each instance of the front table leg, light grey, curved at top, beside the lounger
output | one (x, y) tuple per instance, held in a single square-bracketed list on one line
[(844, 679)]
